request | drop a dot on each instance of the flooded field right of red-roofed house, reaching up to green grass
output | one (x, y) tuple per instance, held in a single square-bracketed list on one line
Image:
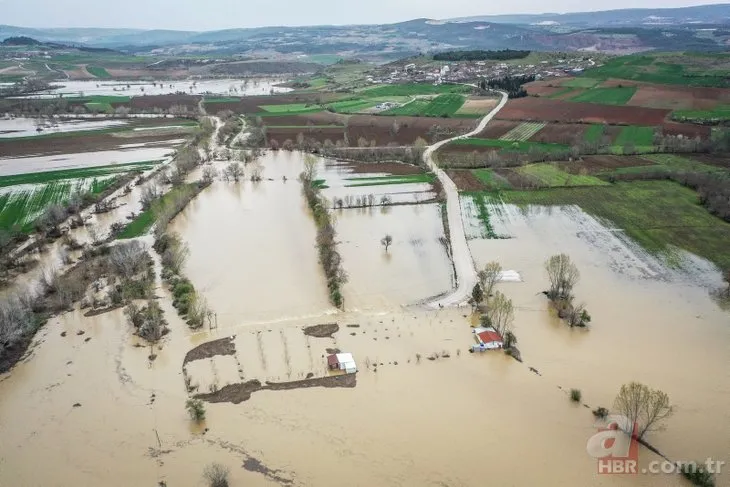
[(651, 323)]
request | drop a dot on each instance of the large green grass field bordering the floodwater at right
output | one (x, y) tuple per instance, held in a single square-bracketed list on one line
[(655, 214)]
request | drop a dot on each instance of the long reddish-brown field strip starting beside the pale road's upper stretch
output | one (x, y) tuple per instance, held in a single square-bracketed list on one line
[(547, 110)]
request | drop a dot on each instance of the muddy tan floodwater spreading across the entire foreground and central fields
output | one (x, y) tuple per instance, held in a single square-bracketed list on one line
[(424, 412)]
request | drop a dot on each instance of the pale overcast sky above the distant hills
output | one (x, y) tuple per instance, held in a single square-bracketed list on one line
[(223, 14)]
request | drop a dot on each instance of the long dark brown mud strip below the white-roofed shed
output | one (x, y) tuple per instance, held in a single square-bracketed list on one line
[(238, 393)]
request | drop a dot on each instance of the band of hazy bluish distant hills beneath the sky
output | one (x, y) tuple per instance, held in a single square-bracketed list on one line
[(702, 28)]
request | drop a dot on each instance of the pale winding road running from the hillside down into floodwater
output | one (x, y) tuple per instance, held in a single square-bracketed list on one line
[(466, 274)]
